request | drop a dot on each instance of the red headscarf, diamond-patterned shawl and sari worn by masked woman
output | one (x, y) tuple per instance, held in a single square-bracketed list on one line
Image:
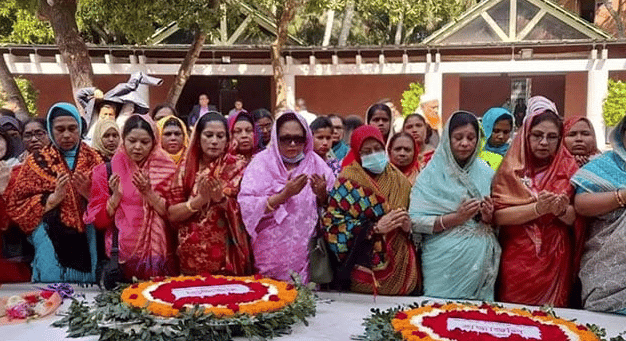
[(359, 200)]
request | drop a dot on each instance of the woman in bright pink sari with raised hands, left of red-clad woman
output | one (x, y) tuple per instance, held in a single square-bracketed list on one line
[(141, 173)]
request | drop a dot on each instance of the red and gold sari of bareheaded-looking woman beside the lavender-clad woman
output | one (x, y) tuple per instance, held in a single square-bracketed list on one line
[(214, 239)]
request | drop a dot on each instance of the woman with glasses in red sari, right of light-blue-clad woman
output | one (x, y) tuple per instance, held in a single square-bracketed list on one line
[(540, 235)]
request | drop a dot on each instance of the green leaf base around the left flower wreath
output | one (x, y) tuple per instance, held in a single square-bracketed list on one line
[(113, 320)]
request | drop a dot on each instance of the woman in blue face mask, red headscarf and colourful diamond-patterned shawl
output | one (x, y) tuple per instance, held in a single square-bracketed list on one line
[(367, 224)]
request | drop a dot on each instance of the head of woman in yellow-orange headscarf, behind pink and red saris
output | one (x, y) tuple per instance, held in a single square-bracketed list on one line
[(174, 139)]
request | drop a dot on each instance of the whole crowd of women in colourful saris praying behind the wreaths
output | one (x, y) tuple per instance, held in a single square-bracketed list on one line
[(478, 209)]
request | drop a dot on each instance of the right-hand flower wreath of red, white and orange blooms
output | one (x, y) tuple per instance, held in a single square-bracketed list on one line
[(432, 322)]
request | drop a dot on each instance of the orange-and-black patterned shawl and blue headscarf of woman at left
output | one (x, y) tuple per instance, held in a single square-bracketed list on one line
[(35, 181)]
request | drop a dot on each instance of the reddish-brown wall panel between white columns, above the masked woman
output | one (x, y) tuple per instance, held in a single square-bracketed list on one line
[(351, 94)]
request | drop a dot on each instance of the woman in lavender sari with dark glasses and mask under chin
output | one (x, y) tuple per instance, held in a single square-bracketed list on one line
[(281, 193)]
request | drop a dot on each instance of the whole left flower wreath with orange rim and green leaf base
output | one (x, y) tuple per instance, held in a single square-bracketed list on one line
[(173, 308)]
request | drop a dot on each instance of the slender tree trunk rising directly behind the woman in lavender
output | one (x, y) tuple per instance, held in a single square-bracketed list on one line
[(287, 14)]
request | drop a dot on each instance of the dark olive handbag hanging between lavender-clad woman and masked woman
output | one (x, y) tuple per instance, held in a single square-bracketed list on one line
[(320, 264)]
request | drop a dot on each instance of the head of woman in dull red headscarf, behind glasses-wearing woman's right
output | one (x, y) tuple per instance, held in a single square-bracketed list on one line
[(580, 139)]
